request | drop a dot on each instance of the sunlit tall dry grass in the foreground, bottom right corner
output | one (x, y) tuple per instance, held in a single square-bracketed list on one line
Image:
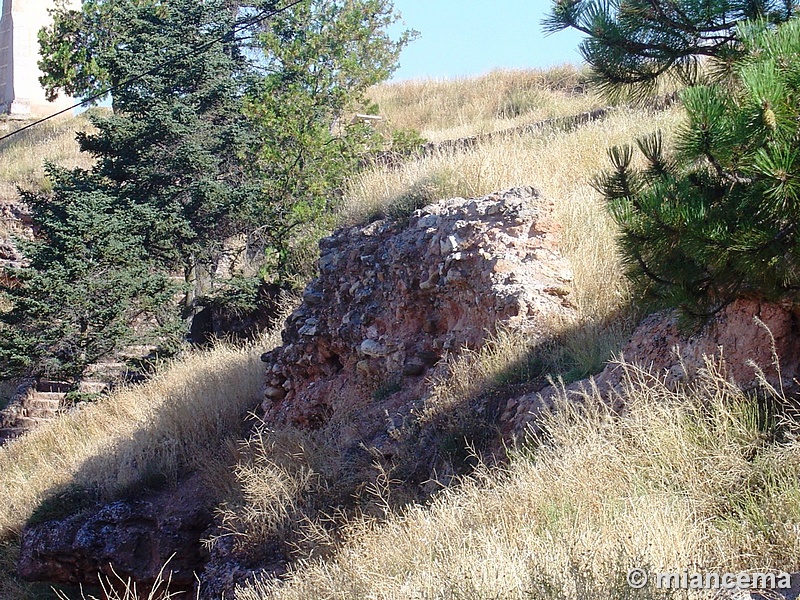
[(684, 480)]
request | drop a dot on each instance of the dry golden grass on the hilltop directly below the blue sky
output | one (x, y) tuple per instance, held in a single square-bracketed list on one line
[(443, 109)]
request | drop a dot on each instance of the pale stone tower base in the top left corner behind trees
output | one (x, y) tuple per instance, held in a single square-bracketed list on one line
[(21, 95)]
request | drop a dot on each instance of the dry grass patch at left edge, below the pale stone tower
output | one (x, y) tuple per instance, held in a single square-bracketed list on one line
[(22, 157)]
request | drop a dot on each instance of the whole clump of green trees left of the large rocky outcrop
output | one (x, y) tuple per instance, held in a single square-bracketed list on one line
[(218, 133)]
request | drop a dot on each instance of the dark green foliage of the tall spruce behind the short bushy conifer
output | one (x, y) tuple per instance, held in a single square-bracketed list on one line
[(171, 149)]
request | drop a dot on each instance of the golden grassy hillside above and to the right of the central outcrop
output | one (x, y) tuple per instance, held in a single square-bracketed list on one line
[(557, 161)]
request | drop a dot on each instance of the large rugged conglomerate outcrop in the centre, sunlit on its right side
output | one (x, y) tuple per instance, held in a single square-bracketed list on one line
[(393, 298)]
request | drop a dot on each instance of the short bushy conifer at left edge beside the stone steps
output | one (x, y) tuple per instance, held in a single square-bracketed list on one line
[(88, 280)]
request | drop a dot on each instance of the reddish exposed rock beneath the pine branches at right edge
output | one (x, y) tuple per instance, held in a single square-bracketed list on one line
[(747, 334)]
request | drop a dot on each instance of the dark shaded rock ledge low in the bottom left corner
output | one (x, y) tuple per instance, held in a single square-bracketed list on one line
[(135, 538)]
